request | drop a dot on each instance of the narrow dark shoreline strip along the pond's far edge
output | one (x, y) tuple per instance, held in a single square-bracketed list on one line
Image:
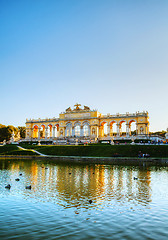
[(100, 160)]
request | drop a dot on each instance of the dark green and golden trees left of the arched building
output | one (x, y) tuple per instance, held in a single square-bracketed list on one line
[(6, 132)]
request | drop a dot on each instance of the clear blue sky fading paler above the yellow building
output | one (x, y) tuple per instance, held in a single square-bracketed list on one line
[(111, 55)]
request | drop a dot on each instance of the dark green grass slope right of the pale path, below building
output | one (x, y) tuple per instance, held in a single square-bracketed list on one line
[(101, 150)]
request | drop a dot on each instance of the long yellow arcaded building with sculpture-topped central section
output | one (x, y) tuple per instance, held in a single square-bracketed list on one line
[(86, 123)]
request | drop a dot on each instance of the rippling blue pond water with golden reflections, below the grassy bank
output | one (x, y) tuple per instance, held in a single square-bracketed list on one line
[(58, 207)]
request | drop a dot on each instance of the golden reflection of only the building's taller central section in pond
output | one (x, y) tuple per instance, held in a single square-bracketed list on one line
[(76, 183)]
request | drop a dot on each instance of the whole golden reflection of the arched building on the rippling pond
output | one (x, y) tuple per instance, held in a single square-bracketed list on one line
[(74, 185)]
